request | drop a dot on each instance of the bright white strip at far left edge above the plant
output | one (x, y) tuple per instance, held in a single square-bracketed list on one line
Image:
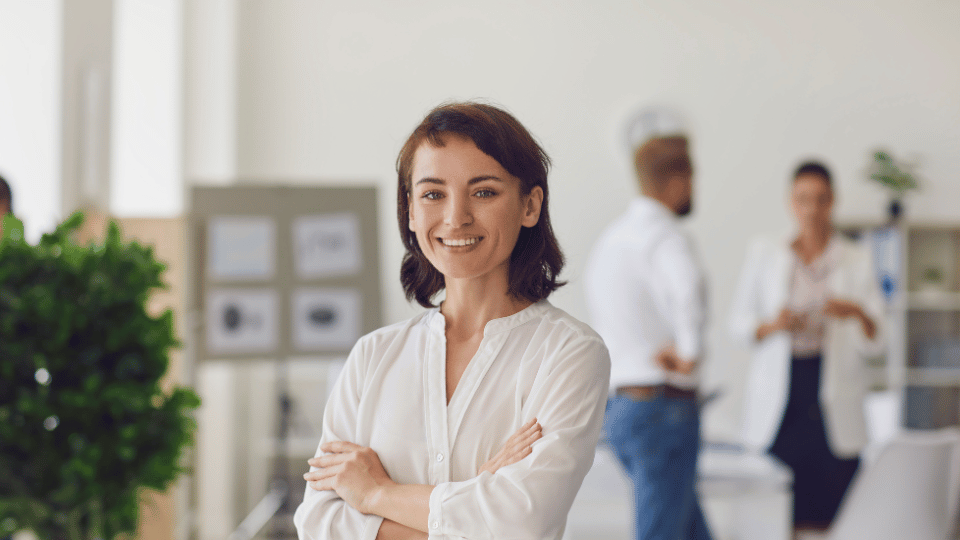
[(30, 110)]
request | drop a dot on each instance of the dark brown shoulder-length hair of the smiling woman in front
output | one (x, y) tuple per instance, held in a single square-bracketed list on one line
[(536, 260)]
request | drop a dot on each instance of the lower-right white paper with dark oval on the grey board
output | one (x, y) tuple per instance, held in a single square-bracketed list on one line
[(326, 319)]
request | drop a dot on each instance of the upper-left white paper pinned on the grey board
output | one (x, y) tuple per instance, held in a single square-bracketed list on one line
[(241, 247)]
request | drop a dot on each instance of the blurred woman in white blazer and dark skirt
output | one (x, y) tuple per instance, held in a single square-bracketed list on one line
[(810, 308)]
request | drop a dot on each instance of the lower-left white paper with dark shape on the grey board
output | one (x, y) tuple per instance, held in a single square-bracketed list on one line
[(241, 321)]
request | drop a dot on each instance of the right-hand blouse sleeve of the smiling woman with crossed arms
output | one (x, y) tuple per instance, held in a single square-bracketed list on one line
[(531, 498)]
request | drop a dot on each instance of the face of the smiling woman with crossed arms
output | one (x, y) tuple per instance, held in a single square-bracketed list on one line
[(467, 210)]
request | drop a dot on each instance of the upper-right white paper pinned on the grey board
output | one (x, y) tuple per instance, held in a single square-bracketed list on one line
[(327, 245)]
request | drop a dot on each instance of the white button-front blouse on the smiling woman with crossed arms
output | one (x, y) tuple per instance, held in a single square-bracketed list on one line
[(391, 397)]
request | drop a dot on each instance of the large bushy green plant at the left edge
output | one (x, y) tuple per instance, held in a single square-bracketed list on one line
[(85, 425)]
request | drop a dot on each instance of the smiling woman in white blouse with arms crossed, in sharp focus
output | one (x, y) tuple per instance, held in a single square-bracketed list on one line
[(479, 417)]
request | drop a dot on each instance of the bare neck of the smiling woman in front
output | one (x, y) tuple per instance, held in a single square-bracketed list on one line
[(471, 303)]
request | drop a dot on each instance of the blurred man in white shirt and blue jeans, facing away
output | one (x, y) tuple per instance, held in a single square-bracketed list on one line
[(647, 299)]
